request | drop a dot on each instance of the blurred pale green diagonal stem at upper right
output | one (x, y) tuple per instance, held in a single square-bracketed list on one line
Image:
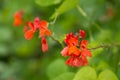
[(87, 17)]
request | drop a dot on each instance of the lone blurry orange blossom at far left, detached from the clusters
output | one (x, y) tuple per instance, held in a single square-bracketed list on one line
[(18, 18)]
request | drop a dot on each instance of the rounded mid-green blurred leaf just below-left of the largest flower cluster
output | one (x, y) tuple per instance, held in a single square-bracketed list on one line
[(56, 68)]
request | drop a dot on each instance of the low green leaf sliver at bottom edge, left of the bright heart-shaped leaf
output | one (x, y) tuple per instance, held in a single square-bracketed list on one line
[(65, 76)]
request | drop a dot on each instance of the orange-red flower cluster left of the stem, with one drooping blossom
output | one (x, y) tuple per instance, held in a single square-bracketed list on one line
[(32, 27)]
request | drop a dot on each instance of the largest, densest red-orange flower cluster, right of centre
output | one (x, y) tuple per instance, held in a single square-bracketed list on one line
[(78, 56)]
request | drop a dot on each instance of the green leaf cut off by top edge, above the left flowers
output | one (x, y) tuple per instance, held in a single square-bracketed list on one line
[(47, 2)]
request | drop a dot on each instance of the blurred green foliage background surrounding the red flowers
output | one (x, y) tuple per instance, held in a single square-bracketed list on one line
[(21, 59)]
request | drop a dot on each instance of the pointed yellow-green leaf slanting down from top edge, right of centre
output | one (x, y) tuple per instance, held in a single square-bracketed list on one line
[(65, 6)]
